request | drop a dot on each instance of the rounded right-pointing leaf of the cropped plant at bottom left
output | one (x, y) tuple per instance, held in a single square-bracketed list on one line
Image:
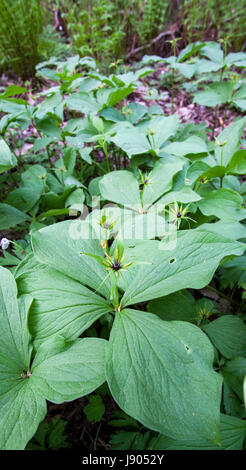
[(71, 372)]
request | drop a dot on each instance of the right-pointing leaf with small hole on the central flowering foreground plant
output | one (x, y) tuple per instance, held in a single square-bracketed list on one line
[(190, 262)]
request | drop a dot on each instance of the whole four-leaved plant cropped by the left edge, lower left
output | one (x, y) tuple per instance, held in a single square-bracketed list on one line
[(60, 371)]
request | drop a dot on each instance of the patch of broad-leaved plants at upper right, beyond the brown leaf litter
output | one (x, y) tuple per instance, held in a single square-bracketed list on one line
[(212, 77)]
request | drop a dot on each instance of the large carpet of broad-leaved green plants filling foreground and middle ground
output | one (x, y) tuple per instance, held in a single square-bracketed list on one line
[(114, 218)]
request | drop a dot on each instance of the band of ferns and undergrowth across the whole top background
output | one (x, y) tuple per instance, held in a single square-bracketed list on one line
[(109, 31)]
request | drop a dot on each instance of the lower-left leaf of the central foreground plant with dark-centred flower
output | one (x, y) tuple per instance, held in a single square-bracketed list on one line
[(61, 304)]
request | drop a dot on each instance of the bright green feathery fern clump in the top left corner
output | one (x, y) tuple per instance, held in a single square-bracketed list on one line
[(27, 37)]
